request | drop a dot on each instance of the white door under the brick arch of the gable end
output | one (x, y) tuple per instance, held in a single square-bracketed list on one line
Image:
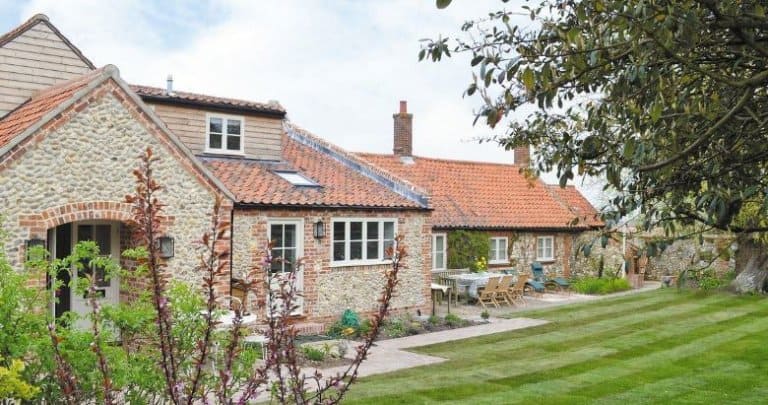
[(107, 237)]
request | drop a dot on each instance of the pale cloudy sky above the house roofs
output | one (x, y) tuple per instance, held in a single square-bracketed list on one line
[(339, 68)]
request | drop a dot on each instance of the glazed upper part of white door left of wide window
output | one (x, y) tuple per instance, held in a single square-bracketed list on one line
[(285, 236)]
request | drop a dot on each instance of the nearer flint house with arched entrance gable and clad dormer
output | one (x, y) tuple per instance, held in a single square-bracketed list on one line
[(70, 136)]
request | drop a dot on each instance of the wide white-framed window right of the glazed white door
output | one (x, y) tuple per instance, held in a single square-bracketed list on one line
[(361, 240)]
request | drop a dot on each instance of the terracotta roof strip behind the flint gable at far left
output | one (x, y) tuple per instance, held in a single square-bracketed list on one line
[(27, 114)]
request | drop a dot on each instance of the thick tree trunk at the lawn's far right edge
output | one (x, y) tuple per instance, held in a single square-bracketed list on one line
[(751, 266)]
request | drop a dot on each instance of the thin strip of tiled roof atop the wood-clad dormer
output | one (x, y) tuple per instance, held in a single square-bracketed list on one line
[(157, 93)]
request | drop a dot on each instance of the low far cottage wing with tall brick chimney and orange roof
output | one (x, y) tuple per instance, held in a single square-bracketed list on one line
[(524, 219)]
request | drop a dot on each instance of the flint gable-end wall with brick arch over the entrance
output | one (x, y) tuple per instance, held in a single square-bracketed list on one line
[(79, 168)]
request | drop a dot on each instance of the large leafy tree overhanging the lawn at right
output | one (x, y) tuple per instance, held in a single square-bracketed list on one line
[(663, 99)]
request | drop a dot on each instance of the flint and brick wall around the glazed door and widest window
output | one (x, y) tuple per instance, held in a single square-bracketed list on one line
[(329, 288)]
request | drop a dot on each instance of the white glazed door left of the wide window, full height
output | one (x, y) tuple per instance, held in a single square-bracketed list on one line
[(287, 237)]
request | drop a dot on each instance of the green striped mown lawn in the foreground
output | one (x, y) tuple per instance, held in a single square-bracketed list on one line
[(657, 347)]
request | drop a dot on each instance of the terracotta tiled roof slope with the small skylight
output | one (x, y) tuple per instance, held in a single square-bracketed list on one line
[(254, 182)]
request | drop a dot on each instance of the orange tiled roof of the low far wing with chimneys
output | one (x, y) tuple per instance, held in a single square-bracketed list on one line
[(483, 195)]
